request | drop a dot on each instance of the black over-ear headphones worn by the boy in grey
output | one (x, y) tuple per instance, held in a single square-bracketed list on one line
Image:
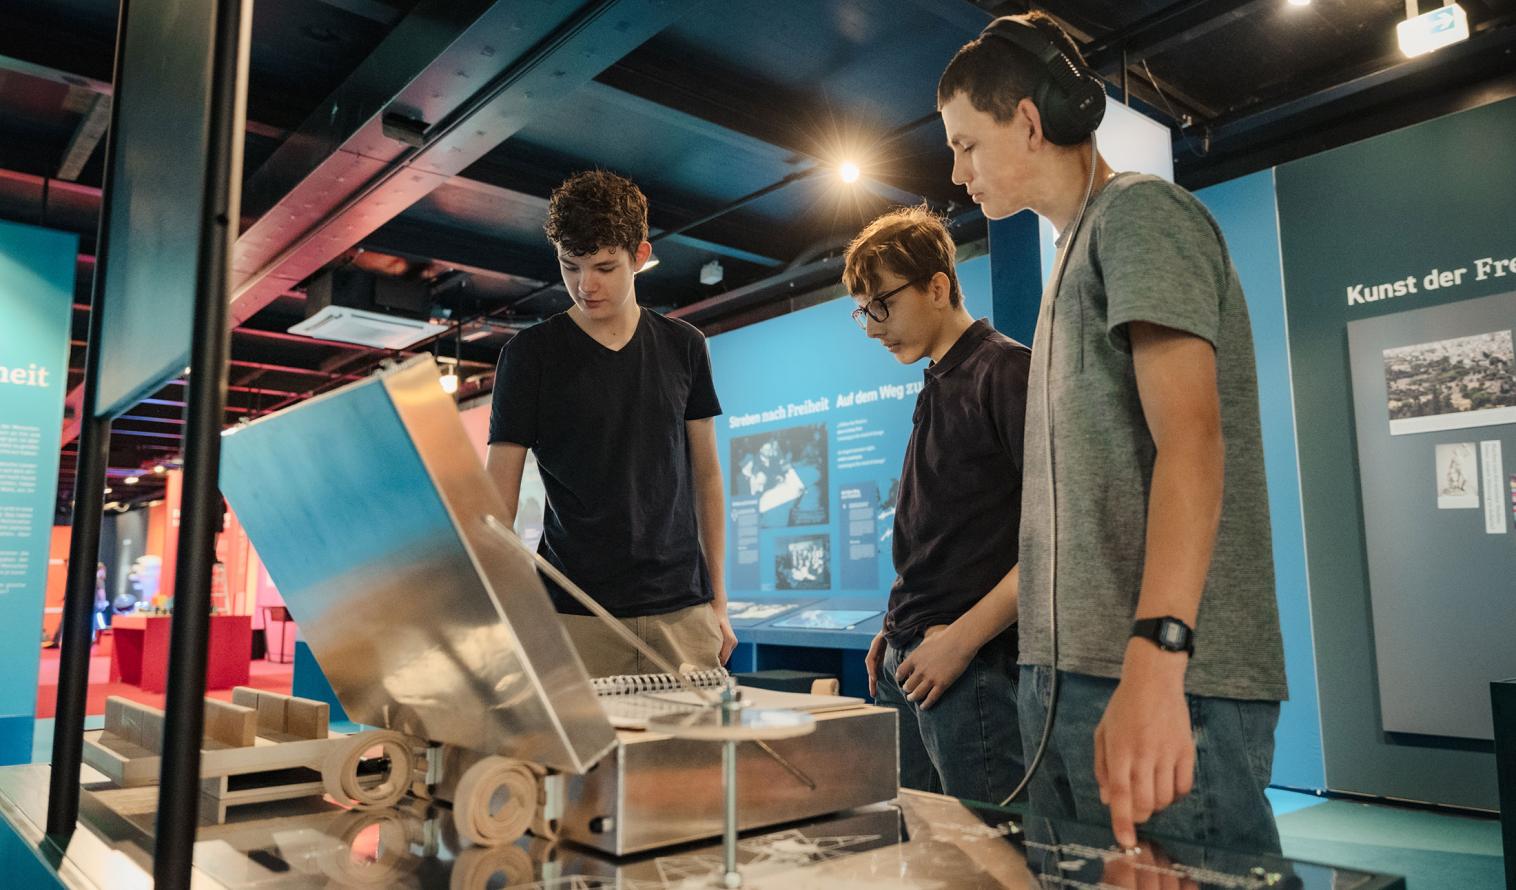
[(1070, 98)]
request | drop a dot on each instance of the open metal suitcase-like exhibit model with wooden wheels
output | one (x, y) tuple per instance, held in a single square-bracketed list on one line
[(430, 619)]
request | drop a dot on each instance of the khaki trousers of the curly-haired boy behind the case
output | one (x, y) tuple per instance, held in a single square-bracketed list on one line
[(688, 638)]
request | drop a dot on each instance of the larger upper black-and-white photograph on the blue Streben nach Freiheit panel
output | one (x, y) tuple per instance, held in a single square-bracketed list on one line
[(786, 471)]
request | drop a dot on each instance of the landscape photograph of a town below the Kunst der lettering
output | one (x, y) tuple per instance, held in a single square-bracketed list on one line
[(1452, 384)]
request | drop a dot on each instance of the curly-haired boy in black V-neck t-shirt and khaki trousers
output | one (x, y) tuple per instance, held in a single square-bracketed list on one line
[(618, 406)]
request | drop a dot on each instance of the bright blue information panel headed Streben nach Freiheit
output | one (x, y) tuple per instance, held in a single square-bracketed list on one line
[(815, 433)]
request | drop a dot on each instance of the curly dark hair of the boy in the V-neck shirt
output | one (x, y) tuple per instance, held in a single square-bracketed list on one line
[(595, 210)]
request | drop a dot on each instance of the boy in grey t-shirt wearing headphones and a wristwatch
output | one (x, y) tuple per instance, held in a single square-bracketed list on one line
[(1145, 518)]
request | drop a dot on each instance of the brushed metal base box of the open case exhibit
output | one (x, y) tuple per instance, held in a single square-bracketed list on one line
[(660, 791)]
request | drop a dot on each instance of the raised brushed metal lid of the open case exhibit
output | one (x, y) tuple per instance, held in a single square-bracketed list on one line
[(368, 506)]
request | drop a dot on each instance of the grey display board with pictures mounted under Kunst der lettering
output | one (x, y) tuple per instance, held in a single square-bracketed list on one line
[(1435, 401)]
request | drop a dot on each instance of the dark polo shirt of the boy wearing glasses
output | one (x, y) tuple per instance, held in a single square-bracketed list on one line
[(957, 522)]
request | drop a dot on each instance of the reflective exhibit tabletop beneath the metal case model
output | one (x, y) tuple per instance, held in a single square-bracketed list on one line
[(918, 842)]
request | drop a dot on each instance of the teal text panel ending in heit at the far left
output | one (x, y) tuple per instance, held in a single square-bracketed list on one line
[(37, 286)]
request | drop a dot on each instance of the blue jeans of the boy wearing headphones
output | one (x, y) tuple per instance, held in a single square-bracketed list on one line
[(1233, 762)]
